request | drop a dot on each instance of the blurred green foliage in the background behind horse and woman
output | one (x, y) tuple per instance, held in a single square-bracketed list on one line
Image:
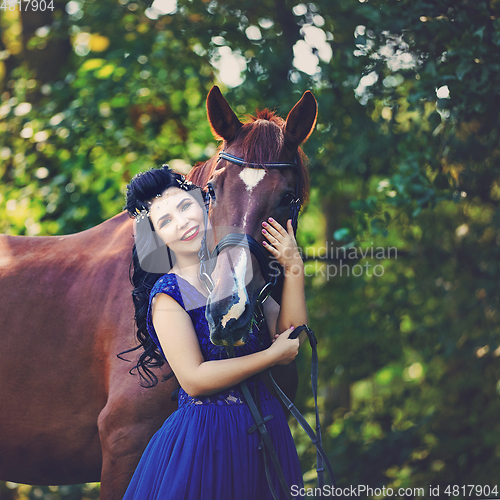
[(405, 155)]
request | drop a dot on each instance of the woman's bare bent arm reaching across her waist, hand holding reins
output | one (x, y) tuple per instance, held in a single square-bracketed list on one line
[(199, 377)]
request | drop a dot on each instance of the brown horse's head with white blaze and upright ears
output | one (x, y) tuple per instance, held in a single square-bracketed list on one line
[(243, 197)]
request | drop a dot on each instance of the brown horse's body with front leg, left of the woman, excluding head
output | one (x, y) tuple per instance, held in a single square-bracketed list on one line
[(70, 410)]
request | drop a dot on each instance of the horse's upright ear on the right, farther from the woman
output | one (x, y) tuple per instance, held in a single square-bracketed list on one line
[(301, 120)]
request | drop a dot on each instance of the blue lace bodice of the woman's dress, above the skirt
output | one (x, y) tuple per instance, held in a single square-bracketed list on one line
[(194, 303)]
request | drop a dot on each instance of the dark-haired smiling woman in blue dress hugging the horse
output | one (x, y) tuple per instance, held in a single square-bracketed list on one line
[(204, 450)]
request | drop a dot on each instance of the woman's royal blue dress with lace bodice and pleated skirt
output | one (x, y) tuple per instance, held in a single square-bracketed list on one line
[(203, 451)]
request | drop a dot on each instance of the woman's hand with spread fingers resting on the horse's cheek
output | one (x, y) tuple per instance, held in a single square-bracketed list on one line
[(282, 245)]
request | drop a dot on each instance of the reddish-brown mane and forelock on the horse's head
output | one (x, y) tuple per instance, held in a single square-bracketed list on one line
[(260, 140)]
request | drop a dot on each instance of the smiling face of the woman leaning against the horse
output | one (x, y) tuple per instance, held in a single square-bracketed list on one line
[(178, 220)]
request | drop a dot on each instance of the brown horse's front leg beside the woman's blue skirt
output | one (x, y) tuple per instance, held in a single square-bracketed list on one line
[(126, 424)]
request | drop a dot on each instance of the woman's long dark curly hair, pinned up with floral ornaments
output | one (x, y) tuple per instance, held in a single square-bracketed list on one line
[(147, 252)]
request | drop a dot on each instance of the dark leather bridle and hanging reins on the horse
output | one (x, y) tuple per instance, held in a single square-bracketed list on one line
[(207, 264)]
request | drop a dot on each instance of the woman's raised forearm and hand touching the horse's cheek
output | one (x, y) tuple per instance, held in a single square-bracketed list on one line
[(282, 245)]
